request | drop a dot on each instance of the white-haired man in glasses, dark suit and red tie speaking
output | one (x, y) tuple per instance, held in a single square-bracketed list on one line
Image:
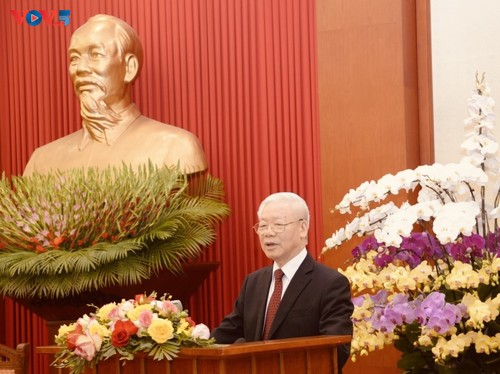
[(294, 297)]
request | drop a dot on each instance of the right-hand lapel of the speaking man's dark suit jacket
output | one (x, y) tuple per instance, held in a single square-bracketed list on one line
[(299, 281)]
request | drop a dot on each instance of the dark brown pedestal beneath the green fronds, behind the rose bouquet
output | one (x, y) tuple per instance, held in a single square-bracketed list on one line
[(68, 309)]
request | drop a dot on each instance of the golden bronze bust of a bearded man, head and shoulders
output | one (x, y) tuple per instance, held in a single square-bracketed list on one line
[(105, 57)]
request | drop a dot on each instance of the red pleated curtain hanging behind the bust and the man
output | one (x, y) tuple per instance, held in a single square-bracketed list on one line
[(240, 74)]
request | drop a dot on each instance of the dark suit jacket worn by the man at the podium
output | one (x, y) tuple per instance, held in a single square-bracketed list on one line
[(316, 302)]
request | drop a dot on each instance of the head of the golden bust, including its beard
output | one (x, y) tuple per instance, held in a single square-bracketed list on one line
[(105, 57)]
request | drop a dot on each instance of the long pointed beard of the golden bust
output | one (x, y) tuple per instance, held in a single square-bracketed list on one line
[(97, 116)]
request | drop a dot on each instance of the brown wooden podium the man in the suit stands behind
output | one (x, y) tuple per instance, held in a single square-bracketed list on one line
[(310, 355)]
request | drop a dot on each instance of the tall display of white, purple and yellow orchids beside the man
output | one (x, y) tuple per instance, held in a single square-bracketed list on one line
[(426, 277)]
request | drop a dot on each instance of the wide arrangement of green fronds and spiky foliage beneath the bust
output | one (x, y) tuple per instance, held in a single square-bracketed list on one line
[(65, 233)]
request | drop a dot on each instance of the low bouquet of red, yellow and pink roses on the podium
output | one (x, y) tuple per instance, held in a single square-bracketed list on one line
[(156, 327)]
